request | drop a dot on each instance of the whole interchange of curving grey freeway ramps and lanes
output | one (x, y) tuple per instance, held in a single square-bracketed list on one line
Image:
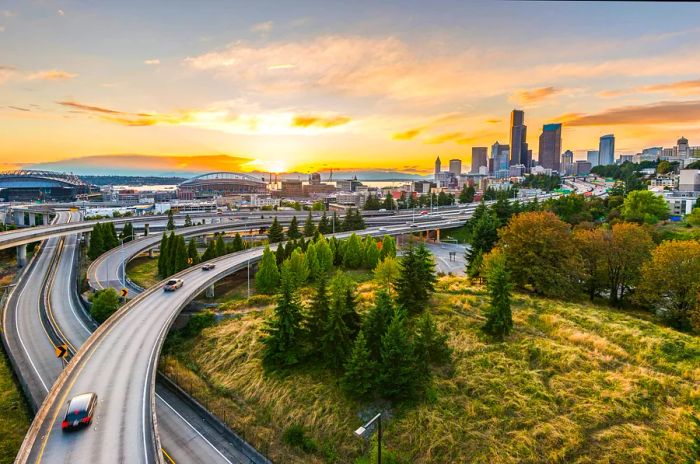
[(137, 420)]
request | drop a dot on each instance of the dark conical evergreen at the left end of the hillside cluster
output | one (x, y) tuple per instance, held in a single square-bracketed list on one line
[(283, 334)]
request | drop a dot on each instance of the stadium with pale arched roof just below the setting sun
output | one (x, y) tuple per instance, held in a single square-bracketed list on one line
[(215, 184)]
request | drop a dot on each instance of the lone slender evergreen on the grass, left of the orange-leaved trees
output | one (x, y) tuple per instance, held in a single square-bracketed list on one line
[(499, 319)]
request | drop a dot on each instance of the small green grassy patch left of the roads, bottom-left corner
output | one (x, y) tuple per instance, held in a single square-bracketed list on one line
[(14, 413)]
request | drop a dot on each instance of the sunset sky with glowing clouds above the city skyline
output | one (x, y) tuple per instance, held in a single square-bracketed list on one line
[(313, 85)]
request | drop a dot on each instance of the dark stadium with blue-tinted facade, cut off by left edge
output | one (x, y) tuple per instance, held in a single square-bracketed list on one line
[(29, 185)]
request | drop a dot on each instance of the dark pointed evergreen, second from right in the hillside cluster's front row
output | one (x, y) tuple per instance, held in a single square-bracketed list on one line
[(399, 376)]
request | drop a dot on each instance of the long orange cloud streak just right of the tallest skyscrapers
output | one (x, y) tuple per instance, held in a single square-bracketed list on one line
[(655, 113)]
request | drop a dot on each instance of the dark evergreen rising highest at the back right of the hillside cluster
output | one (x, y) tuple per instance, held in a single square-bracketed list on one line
[(417, 279)]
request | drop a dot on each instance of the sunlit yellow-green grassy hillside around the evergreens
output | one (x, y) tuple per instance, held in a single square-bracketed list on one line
[(574, 383)]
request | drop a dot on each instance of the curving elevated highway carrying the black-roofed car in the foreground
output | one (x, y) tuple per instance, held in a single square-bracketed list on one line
[(118, 363)]
